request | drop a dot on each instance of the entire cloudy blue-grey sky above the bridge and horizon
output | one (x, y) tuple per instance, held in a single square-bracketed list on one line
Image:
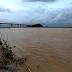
[(46, 12)]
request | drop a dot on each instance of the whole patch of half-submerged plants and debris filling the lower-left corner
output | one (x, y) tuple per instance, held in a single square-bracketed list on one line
[(8, 62)]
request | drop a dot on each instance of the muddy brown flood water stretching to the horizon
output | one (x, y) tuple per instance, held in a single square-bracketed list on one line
[(46, 49)]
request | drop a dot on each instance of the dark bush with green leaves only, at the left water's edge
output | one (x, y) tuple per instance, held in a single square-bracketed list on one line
[(7, 55)]
